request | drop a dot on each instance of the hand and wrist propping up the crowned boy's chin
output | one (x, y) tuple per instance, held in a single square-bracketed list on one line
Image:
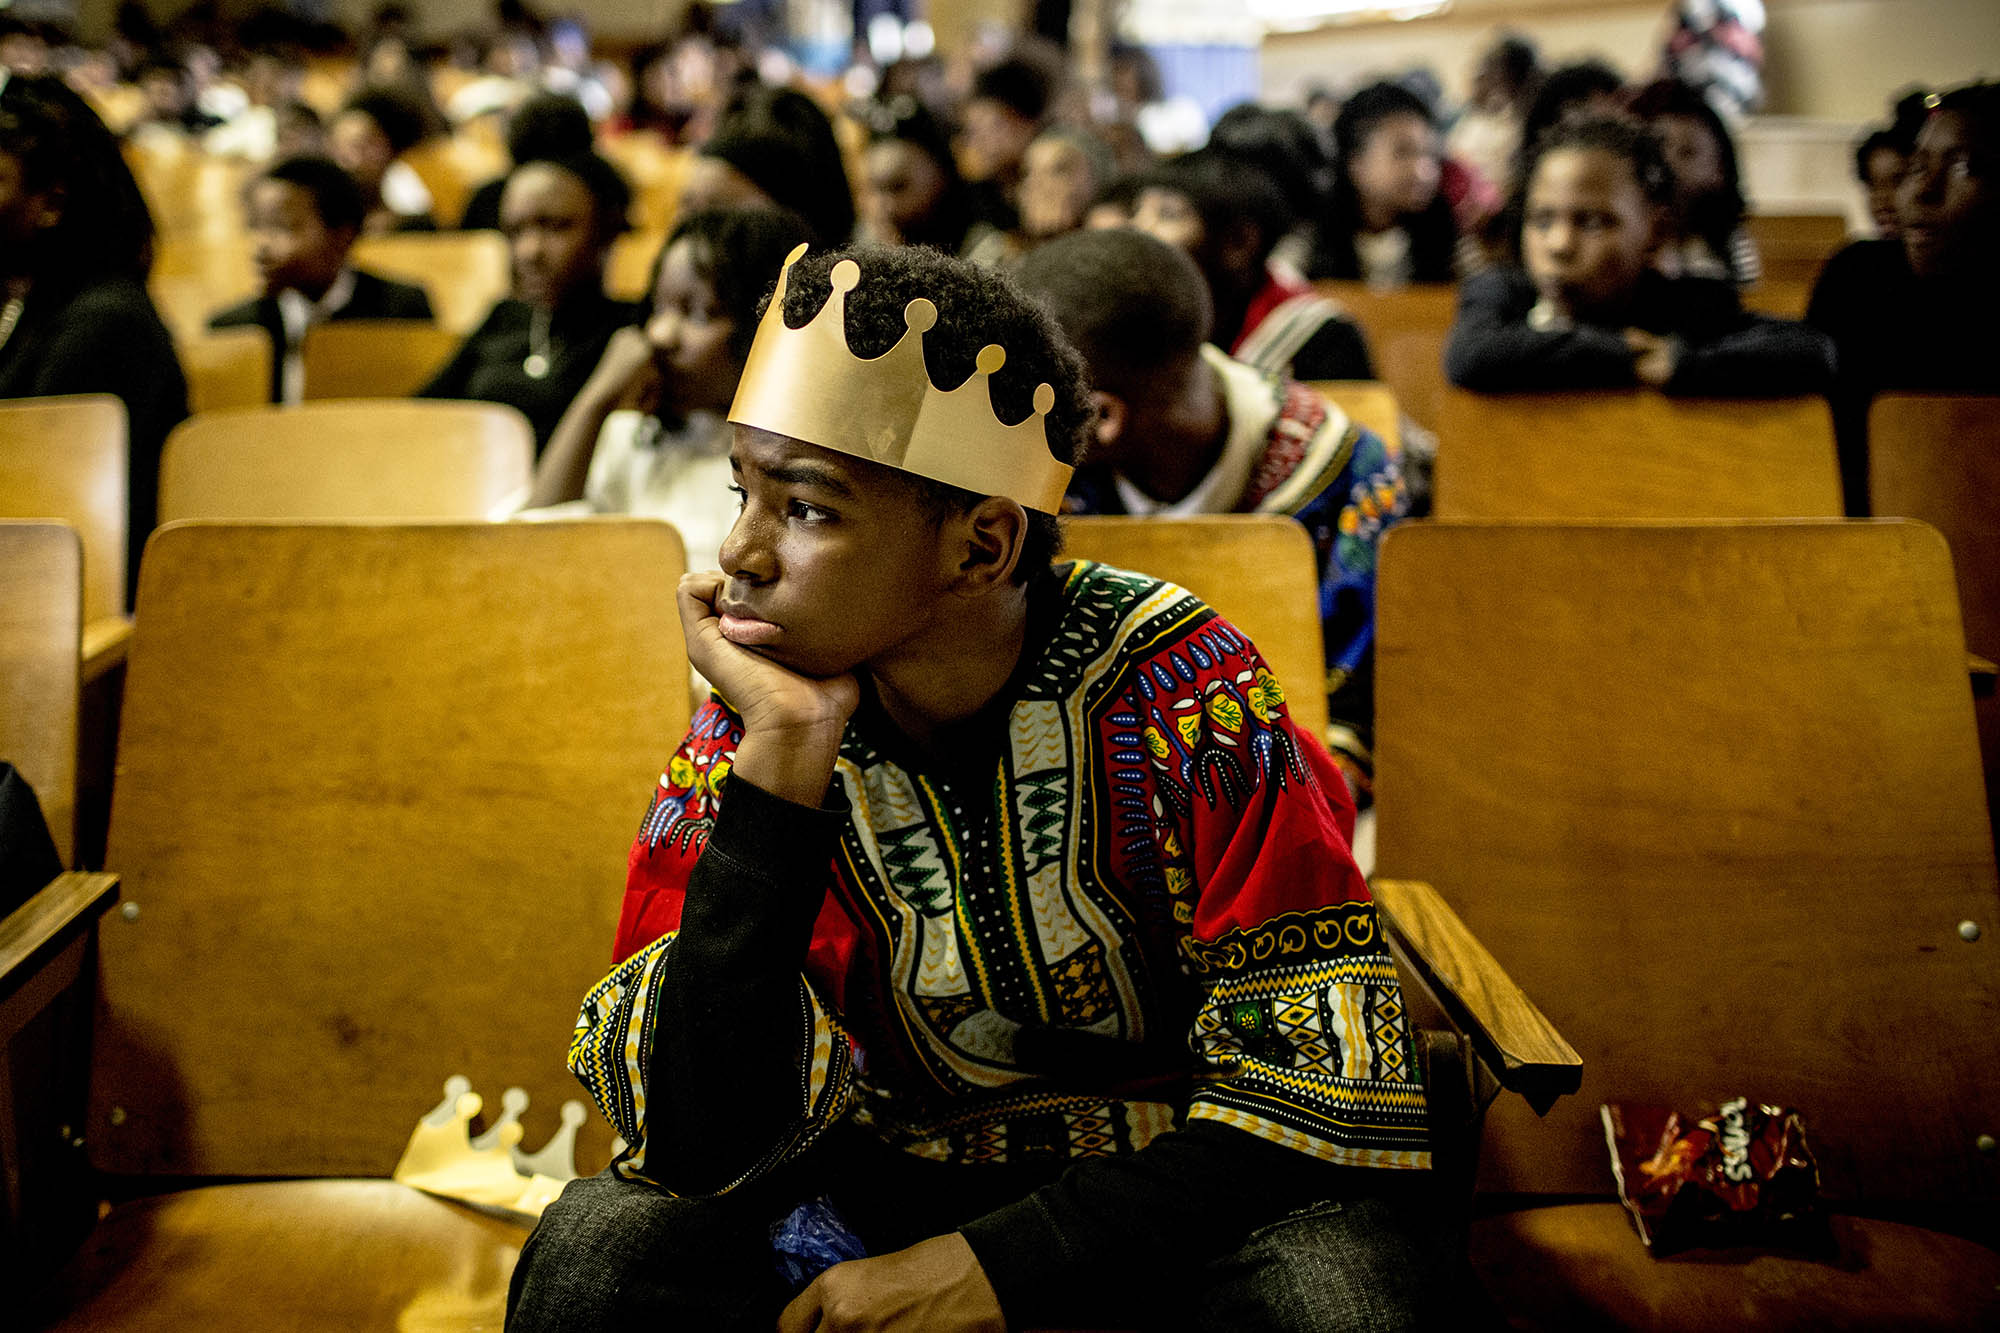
[(793, 724)]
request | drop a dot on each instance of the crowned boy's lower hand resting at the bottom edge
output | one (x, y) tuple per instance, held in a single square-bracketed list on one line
[(937, 1286)]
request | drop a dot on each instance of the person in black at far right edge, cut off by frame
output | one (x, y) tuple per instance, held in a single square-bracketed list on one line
[(1921, 311)]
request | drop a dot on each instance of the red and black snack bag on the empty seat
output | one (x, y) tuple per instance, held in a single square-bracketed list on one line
[(1743, 1176)]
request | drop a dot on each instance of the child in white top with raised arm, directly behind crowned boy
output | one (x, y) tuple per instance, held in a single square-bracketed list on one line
[(647, 435)]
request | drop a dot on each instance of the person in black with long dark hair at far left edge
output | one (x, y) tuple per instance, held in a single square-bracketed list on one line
[(75, 253)]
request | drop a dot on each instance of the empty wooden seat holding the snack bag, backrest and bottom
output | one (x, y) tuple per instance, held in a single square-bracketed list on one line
[(1711, 796)]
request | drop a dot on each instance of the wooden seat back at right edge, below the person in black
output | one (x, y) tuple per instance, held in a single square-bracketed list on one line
[(1937, 457)]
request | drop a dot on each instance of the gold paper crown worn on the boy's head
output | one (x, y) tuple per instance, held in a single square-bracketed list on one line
[(809, 385)]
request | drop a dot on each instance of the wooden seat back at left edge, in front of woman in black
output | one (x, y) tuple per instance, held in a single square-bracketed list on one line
[(67, 459)]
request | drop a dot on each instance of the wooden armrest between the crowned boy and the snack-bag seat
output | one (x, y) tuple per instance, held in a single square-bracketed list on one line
[(1509, 1034)]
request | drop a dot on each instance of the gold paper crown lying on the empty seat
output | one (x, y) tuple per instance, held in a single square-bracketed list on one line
[(491, 1172)]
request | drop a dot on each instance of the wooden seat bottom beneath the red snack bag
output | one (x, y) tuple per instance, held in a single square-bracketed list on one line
[(1583, 1266)]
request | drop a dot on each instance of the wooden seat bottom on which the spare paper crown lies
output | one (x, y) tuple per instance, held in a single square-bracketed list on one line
[(291, 1256)]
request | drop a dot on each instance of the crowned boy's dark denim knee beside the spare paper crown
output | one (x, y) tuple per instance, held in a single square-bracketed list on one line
[(615, 1254)]
